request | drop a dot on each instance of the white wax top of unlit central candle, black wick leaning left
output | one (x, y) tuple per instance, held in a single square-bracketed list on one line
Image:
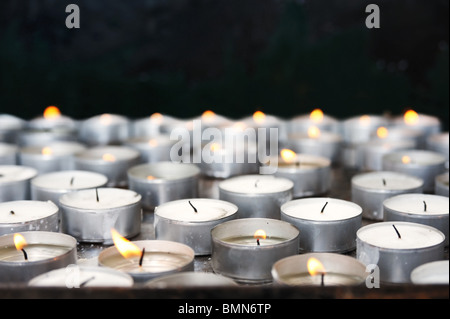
[(207, 210)]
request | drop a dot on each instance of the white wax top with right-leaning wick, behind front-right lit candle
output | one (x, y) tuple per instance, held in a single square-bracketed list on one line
[(311, 209)]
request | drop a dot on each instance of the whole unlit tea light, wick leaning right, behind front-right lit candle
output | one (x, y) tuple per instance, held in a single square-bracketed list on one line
[(325, 224)]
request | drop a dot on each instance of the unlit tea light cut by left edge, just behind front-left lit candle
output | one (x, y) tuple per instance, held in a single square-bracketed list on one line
[(28, 215)]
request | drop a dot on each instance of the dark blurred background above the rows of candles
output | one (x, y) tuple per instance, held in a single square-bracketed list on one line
[(182, 57)]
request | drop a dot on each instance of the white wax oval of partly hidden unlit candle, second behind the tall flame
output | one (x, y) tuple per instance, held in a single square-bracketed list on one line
[(69, 180)]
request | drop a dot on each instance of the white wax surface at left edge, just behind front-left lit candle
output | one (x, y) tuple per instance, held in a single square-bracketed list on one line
[(26, 210)]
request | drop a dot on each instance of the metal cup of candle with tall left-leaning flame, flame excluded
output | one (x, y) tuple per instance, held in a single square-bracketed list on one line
[(161, 258)]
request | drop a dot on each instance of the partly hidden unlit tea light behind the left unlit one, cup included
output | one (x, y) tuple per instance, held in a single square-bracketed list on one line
[(51, 186)]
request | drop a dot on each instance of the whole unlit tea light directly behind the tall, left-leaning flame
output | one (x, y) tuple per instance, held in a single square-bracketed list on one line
[(89, 215)]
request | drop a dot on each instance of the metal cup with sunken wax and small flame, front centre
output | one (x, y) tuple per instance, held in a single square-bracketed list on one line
[(236, 254)]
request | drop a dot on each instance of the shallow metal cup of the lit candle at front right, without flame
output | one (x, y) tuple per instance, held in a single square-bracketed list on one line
[(340, 270)]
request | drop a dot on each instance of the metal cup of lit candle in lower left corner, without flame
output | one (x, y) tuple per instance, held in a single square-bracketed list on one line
[(45, 251)]
